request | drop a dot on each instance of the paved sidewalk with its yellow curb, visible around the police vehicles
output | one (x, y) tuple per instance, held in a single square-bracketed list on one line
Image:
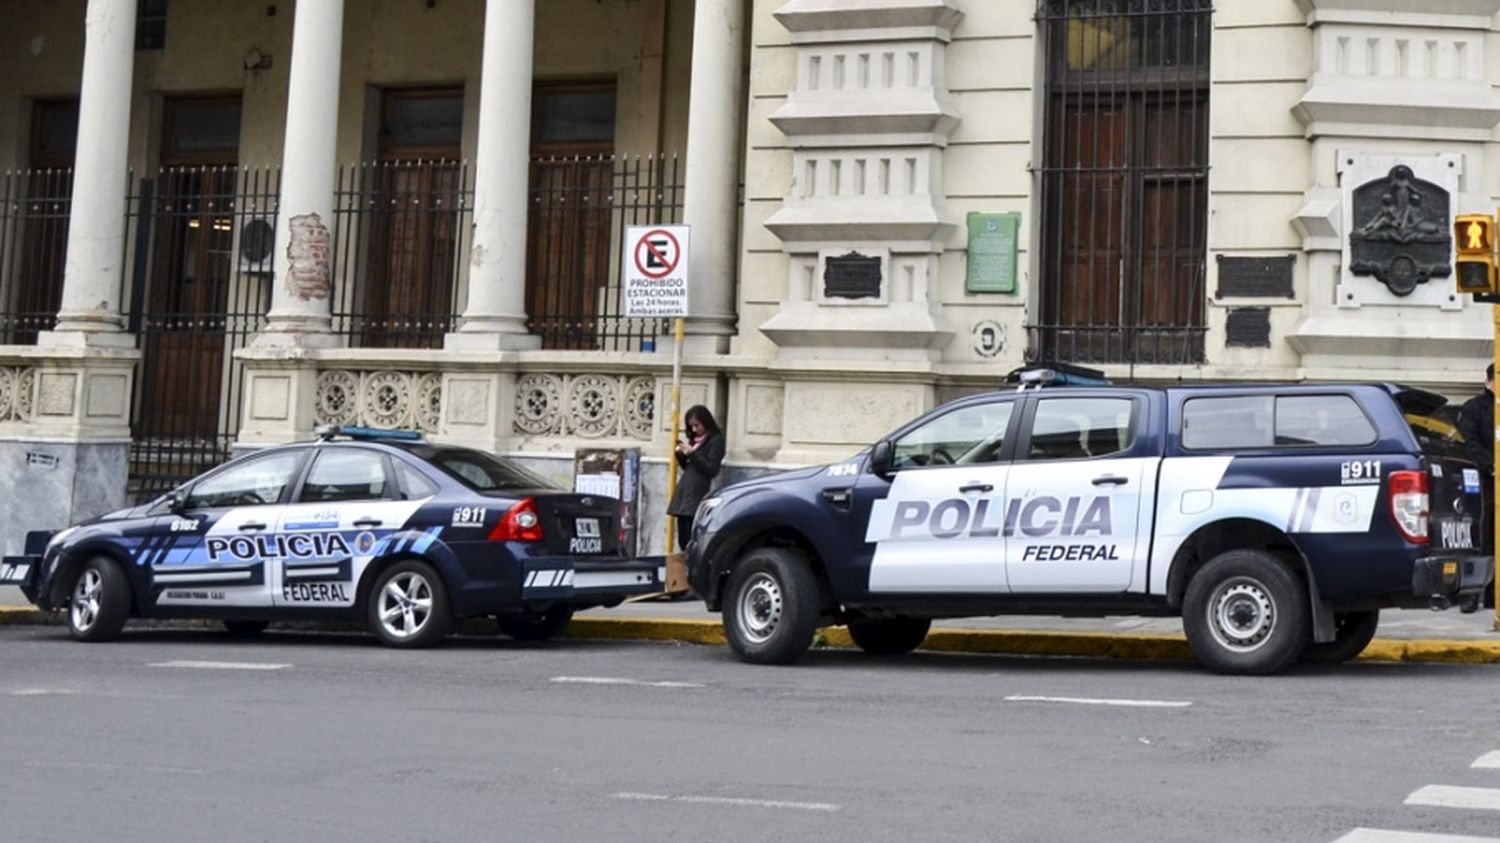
[(1405, 635)]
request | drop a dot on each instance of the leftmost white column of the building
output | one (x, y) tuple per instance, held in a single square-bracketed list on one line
[(95, 265)]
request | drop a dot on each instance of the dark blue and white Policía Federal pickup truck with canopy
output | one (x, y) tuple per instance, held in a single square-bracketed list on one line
[(1277, 521)]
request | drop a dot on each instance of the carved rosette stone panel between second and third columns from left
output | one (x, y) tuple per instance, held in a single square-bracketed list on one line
[(380, 400)]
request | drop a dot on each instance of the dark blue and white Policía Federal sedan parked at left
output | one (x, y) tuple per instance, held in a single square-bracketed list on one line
[(362, 524)]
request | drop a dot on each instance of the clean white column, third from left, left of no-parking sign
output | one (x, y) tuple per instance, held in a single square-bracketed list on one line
[(496, 313)]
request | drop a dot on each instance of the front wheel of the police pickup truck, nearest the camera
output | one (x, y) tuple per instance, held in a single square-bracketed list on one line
[(772, 607)]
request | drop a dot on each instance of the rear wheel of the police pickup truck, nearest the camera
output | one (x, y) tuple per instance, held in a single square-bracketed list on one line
[(1247, 613)]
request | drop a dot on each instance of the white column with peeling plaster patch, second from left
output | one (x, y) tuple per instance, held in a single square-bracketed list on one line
[(304, 287)]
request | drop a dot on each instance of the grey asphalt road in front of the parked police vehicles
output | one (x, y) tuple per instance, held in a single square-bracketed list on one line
[(182, 734)]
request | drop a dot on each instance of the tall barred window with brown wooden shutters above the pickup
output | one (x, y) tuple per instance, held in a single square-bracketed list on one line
[(1124, 181)]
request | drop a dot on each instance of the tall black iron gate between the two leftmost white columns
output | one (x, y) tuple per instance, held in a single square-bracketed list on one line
[(199, 290)]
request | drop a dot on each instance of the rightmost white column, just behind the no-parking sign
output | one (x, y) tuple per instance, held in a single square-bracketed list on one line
[(715, 113)]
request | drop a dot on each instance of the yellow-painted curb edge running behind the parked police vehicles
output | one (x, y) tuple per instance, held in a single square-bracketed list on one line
[(1142, 647)]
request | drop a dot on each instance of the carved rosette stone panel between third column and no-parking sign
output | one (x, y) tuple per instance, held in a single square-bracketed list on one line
[(590, 406)]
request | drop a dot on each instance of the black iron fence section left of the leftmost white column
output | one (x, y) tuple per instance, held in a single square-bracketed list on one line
[(34, 244)]
